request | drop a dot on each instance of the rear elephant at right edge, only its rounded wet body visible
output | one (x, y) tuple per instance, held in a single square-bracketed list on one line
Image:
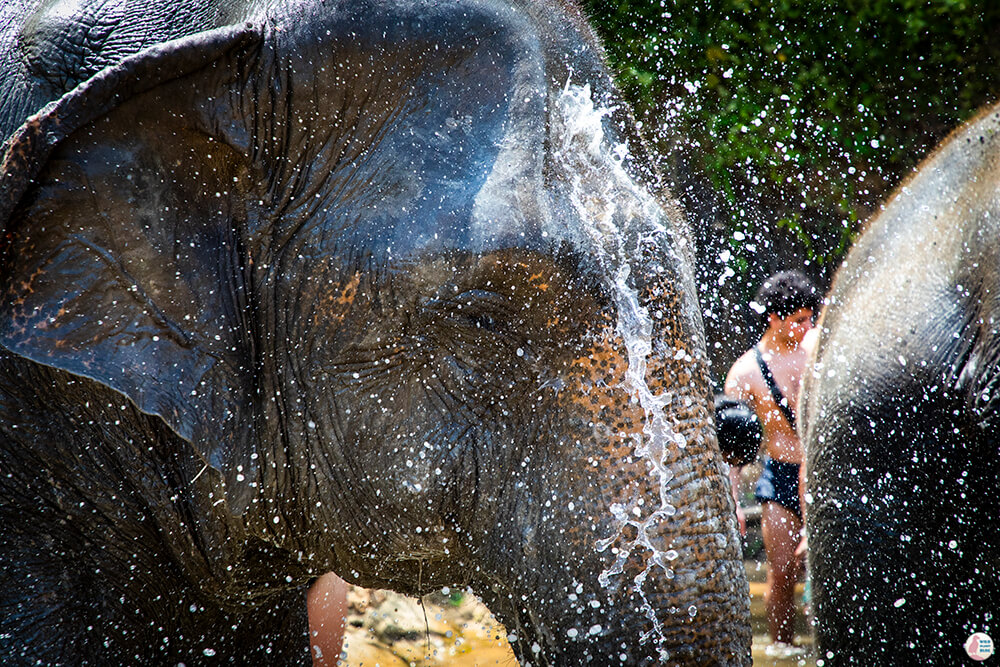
[(900, 421)]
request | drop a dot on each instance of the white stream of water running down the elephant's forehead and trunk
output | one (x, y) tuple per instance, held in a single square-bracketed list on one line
[(622, 221)]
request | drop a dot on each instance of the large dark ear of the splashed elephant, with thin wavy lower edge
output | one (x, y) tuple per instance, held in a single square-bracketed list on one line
[(120, 263)]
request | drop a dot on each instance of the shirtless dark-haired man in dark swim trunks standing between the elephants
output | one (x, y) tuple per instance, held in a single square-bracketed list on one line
[(789, 300)]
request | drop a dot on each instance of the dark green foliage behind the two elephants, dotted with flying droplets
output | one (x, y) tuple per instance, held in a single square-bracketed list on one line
[(783, 124)]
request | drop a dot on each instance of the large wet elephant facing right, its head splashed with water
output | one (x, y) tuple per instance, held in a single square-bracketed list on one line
[(378, 287)]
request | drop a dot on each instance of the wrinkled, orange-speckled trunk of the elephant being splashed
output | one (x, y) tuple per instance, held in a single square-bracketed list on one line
[(632, 511)]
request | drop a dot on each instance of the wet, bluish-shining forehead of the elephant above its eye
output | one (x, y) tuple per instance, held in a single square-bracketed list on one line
[(440, 130)]
